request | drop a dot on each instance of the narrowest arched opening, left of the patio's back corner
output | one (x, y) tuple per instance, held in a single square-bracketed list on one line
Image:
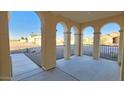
[(73, 40)]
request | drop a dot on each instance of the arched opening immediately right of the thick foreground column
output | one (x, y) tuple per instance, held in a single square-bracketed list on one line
[(60, 29)]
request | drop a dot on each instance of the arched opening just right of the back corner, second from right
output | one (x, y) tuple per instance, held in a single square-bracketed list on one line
[(87, 40)]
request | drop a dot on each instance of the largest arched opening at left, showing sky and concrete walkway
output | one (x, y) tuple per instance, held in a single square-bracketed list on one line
[(25, 41)]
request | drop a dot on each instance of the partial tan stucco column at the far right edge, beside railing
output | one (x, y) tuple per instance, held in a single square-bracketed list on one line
[(120, 52)]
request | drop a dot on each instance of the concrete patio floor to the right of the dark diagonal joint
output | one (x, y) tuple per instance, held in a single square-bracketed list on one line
[(86, 68)]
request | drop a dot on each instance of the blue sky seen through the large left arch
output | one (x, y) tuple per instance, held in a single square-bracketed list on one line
[(22, 24)]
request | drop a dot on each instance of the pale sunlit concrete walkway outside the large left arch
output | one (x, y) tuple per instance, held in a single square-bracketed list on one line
[(21, 64)]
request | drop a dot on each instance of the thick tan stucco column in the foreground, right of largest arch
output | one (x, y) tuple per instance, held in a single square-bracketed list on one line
[(48, 46)]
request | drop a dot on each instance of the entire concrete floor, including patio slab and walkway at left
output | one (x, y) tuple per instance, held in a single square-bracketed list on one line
[(78, 68)]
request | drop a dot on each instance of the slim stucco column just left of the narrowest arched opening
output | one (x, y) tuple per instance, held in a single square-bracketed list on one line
[(67, 45)]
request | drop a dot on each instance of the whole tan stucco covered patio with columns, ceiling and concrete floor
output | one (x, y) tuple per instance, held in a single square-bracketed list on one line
[(76, 67)]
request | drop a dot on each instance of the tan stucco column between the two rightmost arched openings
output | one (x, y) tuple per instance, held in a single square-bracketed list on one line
[(96, 47)]
